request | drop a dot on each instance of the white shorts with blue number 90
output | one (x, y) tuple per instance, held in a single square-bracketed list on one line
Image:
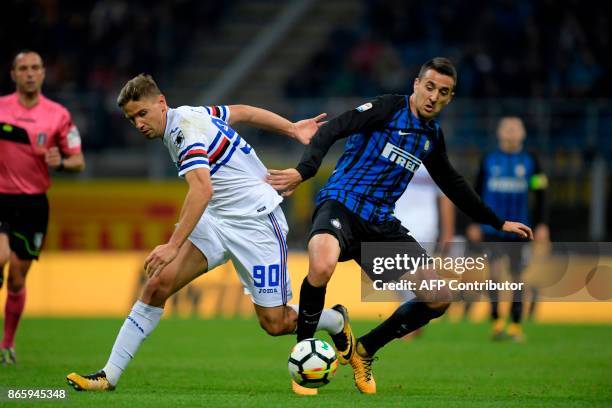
[(257, 248)]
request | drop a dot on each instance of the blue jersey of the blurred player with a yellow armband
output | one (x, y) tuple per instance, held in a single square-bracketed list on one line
[(505, 182)]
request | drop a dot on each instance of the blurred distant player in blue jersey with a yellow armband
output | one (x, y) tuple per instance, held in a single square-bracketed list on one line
[(508, 176)]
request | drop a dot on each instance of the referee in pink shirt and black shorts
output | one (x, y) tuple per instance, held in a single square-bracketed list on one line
[(36, 134)]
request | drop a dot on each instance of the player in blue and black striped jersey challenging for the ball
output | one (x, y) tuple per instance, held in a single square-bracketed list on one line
[(388, 139)]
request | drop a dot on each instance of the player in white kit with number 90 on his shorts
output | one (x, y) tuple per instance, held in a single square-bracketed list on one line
[(229, 213)]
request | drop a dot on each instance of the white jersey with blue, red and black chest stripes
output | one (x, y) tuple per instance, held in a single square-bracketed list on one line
[(199, 137)]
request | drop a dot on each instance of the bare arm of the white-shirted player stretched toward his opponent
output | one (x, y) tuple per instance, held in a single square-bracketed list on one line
[(302, 130)]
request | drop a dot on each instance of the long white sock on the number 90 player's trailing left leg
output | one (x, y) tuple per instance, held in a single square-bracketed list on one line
[(137, 326)]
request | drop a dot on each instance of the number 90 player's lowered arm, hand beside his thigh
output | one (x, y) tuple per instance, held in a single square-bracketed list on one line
[(198, 196)]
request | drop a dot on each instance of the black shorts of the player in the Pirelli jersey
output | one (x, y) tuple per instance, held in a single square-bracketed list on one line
[(351, 230)]
